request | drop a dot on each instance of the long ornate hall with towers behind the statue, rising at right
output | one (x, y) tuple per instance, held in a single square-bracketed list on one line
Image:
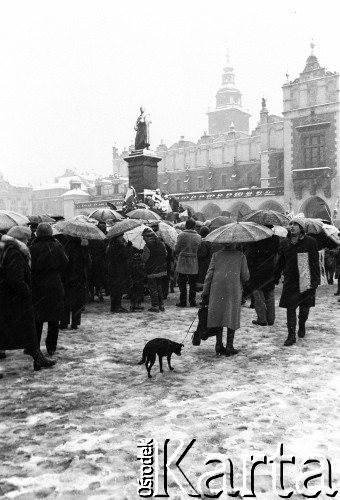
[(287, 163)]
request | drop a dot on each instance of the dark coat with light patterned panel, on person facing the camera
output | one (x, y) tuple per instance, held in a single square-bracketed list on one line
[(301, 270)]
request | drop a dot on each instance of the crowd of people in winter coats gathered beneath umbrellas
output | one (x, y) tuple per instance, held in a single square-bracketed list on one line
[(49, 280)]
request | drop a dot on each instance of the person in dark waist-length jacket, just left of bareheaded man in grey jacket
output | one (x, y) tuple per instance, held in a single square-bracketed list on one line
[(154, 258)]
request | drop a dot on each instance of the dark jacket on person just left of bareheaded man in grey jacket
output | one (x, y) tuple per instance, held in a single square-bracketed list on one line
[(155, 258)]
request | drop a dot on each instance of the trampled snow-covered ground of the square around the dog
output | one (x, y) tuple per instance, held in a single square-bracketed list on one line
[(71, 432)]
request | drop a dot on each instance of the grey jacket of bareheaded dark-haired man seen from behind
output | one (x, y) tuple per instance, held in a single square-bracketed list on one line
[(186, 248)]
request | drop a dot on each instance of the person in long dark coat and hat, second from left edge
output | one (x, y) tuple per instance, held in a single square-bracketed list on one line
[(48, 261)]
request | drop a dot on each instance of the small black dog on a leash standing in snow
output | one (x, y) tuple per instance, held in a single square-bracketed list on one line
[(162, 347)]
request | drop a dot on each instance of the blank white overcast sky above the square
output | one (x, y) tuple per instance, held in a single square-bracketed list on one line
[(74, 73)]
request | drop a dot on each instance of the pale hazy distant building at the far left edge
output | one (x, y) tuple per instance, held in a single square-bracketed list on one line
[(17, 199)]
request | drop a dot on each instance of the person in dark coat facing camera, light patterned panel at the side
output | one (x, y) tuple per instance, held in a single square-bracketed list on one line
[(299, 262)]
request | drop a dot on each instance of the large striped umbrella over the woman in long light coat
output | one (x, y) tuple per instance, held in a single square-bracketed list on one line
[(239, 232)]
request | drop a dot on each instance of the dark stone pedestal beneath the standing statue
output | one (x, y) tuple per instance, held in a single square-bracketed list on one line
[(143, 174)]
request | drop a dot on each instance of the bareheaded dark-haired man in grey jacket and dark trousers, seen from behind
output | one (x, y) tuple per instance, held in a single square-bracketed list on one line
[(186, 248)]
